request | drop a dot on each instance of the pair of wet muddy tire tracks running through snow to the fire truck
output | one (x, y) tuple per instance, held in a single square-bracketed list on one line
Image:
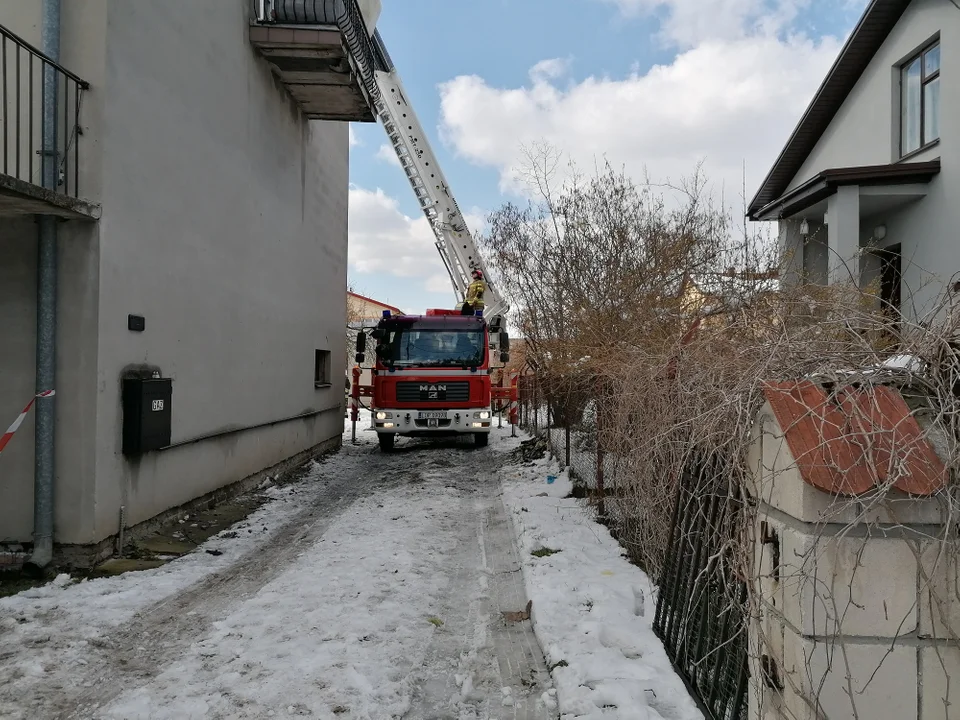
[(474, 646)]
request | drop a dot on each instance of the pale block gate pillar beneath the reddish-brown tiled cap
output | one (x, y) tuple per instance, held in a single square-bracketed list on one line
[(844, 592)]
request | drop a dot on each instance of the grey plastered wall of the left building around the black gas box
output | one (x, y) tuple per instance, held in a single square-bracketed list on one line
[(224, 221)]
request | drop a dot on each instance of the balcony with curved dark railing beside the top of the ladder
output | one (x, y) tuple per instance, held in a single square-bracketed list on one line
[(322, 53)]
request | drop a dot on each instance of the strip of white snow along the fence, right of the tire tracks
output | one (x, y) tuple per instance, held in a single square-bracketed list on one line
[(592, 609)]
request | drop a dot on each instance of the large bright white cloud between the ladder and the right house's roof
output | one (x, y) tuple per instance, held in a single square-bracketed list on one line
[(729, 100)]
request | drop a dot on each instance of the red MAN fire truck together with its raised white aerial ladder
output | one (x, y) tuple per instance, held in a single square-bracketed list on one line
[(431, 374)]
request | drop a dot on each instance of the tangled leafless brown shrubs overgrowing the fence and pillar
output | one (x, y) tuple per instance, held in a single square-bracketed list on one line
[(650, 307)]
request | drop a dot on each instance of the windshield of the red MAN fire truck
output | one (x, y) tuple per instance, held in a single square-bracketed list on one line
[(410, 345)]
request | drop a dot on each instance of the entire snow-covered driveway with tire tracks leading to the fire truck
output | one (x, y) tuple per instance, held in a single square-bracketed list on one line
[(373, 588)]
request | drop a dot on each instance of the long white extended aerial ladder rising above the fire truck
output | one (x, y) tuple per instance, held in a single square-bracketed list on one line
[(452, 236)]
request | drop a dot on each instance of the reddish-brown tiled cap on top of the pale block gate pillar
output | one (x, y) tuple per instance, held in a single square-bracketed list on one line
[(848, 443)]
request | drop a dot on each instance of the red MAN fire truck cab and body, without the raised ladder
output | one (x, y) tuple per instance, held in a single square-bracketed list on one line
[(431, 375)]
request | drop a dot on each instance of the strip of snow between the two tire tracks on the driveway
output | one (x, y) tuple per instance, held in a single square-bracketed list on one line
[(340, 633)]
